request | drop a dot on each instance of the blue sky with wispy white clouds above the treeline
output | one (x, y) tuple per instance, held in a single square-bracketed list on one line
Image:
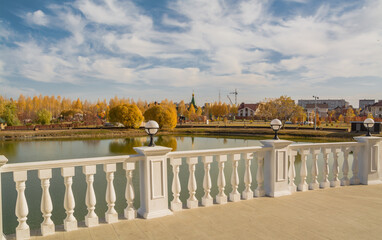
[(156, 49)]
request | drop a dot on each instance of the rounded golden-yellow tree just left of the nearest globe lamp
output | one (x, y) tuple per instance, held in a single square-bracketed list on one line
[(127, 114)]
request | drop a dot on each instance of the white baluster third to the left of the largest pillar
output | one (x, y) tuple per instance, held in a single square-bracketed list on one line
[(91, 219)]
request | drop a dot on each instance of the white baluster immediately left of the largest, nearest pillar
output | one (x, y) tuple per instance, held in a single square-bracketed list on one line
[(130, 212)]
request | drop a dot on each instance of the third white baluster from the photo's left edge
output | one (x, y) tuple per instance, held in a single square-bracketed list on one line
[(70, 222)]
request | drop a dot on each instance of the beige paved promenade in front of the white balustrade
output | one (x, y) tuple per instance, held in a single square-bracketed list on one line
[(353, 212)]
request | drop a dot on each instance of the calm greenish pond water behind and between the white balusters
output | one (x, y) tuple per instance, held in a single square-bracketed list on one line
[(31, 151)]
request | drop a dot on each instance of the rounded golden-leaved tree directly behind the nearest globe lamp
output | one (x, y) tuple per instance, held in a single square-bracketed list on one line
[(164, 115)]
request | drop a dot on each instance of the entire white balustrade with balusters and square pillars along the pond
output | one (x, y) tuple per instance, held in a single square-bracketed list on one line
[(275, 176)]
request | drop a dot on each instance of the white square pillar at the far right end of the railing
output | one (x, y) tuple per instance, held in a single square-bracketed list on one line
[(370, 161)]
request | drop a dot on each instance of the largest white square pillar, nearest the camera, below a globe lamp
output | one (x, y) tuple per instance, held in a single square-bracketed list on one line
[(153, 182)]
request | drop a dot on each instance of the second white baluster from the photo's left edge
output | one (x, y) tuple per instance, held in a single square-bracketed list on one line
[(47, 226)]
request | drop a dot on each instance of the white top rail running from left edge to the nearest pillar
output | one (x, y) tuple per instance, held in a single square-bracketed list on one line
[(27, 166)]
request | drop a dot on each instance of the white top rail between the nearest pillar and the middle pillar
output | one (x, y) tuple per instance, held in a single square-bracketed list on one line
[(218, 151)]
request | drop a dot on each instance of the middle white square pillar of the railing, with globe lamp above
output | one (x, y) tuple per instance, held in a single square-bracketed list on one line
[(276, 168)]
